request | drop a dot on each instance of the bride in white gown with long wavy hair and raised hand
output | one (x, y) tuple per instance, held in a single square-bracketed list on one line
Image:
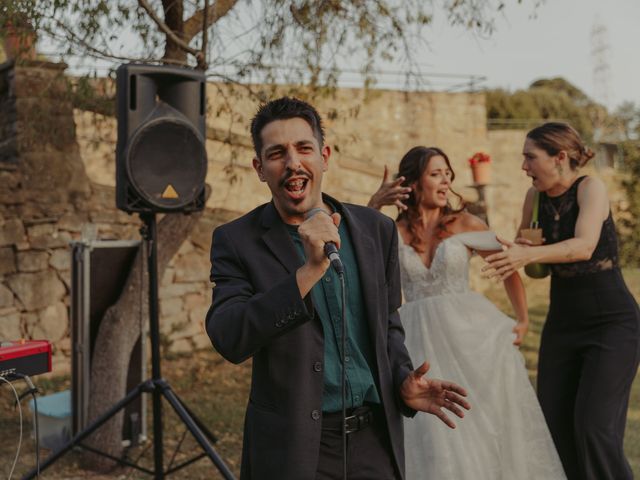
[(466, 338)]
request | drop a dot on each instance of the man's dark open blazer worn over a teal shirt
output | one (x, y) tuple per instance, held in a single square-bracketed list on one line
[(257, 312)]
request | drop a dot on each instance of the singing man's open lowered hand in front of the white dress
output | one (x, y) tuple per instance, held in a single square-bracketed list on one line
[(431, 395)]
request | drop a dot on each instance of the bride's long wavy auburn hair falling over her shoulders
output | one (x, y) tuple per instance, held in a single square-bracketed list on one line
[(412, 167)]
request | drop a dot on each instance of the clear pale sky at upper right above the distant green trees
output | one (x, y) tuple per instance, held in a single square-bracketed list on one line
[(555, 41)]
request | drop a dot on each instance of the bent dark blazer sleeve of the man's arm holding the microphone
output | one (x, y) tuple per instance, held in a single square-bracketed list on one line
[(240, 321)]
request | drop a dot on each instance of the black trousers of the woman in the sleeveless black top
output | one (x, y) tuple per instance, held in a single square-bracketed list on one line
[(588, 360)]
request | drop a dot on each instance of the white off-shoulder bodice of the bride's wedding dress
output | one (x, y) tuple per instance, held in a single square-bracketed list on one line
[(449, 270)]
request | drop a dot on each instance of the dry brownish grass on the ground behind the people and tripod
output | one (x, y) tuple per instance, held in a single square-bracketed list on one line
[(216, 391)]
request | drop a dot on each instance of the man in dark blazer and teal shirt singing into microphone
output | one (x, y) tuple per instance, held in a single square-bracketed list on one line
[(276, 300)]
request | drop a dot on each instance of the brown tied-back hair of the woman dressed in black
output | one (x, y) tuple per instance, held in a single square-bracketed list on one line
[(553, 137)]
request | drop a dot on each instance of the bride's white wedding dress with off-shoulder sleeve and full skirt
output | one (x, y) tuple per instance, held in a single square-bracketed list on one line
[(469, 341)]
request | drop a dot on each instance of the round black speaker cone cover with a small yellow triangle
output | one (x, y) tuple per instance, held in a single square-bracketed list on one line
[(167, 163)]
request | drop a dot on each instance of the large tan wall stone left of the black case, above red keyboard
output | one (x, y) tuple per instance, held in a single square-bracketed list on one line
[(37, 290)]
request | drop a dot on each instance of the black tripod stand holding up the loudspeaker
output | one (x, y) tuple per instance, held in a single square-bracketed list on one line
[(157, 386)]
